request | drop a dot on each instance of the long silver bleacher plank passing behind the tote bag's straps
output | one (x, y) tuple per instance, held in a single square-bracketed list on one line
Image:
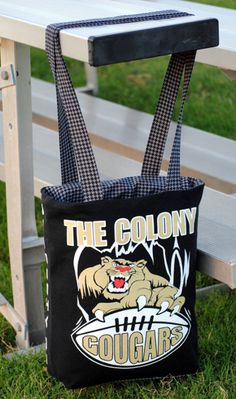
[(125, 131)]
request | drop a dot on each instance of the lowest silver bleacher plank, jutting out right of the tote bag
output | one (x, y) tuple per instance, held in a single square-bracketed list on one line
[(217, 236)]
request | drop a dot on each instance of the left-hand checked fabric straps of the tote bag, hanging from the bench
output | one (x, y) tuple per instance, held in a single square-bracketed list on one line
[(76, 154)]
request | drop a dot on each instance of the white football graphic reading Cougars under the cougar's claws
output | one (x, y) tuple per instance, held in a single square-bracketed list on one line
[(131, 338)]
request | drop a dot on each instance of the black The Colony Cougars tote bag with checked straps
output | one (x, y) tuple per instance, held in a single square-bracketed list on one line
[(121, 253)]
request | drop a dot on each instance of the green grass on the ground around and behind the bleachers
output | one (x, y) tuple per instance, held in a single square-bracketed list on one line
[(212, 107)]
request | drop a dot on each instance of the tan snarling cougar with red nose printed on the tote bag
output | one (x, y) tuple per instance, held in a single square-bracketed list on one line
[(127, 284)]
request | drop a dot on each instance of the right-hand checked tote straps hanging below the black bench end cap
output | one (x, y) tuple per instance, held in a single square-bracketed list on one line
[(179, 64)]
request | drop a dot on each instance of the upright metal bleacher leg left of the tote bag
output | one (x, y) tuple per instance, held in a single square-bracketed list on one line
[(24, 245)]
